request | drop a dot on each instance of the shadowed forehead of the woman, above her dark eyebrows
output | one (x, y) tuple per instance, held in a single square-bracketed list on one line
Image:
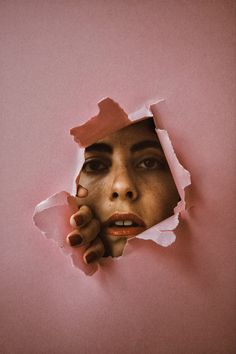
[(132, 134)]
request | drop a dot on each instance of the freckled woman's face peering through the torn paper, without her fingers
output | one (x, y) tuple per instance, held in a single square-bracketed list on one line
[(130, 187)]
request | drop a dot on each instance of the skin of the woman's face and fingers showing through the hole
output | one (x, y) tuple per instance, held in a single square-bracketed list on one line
[(124, 173)]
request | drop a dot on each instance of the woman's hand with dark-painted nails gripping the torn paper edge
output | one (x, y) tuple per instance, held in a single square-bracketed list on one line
[(86, 229)]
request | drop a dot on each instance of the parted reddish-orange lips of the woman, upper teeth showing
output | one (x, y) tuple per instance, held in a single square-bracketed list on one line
[(124, 225)]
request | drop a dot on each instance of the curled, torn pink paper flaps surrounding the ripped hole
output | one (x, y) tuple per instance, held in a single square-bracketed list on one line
[(52, 215)]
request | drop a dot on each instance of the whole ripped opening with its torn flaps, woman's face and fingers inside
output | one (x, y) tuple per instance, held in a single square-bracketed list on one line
[(129, 184)]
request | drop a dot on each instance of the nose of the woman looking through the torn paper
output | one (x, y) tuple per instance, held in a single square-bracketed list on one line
[(123, 187)]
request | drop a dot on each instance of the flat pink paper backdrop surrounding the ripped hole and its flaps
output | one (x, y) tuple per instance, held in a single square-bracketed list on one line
[(58, 58)]
